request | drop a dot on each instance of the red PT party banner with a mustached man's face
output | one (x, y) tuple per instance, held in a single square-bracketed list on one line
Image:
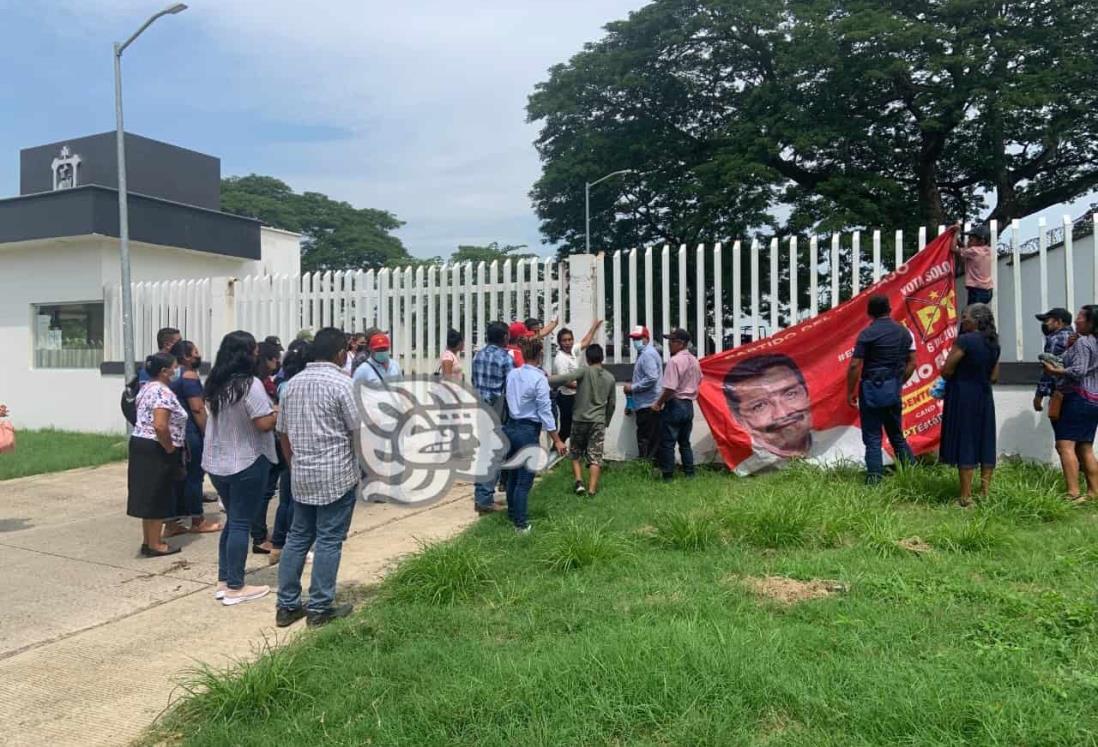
[(786, 397)]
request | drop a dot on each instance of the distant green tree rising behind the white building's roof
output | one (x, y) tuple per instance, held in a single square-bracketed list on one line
[(337, 236)]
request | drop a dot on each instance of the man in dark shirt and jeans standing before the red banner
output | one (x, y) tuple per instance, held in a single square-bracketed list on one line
[(884, 360)]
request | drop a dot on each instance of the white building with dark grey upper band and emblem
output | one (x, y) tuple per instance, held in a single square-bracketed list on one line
[(60, 251)]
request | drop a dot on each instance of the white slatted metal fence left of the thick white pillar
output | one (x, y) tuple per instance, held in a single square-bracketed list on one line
[(417, 306)]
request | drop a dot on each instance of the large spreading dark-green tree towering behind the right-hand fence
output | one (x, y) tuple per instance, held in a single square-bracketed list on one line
[(839, 114)]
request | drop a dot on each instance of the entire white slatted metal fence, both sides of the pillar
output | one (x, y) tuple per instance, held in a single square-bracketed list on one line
[(725, 295)]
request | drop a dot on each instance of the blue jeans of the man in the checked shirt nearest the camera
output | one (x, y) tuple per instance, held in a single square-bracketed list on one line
[(327, 527)]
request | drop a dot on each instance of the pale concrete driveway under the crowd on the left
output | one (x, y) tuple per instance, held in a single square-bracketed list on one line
[(94, 638)]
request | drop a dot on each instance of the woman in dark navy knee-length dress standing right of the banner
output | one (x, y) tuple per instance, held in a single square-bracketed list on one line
[(969, 409)]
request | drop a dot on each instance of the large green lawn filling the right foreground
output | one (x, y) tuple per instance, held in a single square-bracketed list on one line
[(626, 620)]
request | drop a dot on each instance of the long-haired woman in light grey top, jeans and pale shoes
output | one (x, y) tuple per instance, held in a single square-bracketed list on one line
[(239, 454)]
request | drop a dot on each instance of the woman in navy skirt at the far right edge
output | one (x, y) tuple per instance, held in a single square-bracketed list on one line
[(1079, 414)]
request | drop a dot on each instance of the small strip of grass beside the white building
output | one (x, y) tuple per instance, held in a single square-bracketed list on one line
[(40, 452)]
